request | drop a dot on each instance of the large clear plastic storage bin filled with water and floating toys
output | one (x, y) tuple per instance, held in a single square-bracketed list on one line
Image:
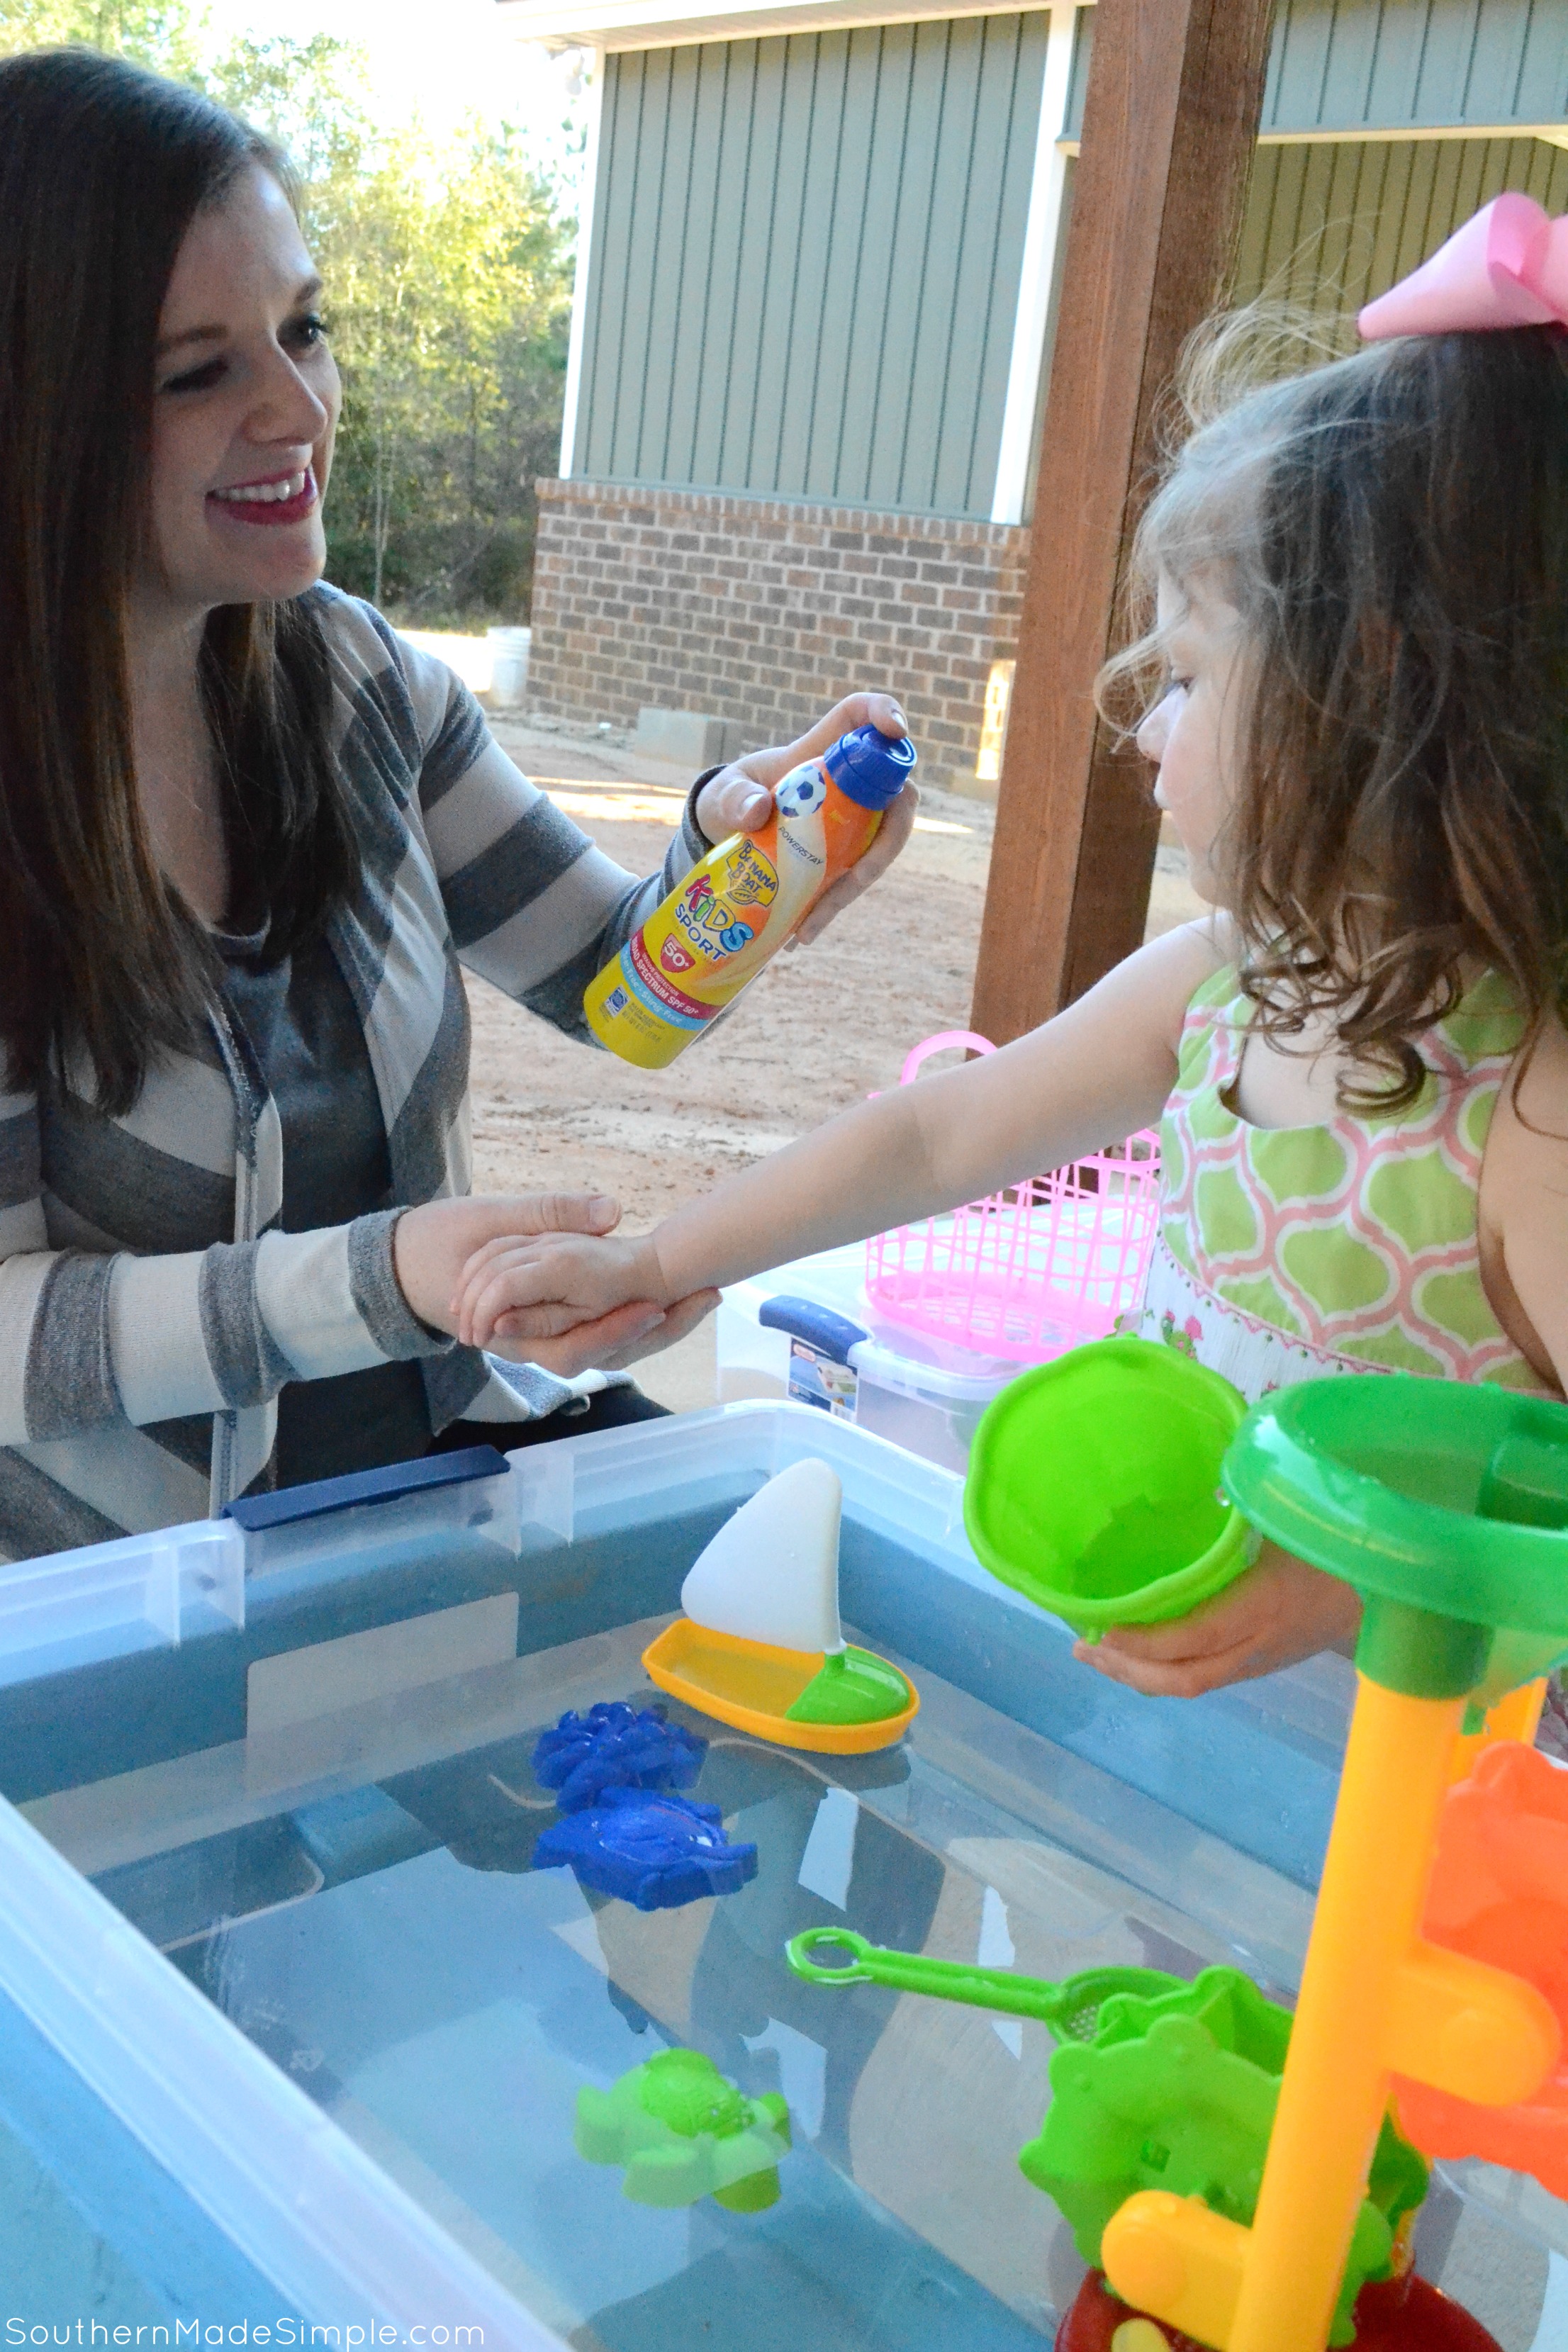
[(293, 2031)]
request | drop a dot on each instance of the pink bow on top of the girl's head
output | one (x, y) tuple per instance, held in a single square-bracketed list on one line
[(1503, 269)]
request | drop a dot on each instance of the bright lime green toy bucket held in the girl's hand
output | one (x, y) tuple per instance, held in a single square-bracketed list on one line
[(1094, 1485)]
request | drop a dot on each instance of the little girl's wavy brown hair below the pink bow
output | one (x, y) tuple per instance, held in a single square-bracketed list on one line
[(1395, 535)]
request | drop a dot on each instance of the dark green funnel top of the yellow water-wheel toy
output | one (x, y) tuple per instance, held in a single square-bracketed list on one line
[(1445, 1504)]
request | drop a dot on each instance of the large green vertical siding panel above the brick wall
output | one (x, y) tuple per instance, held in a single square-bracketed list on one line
[(808, 262)]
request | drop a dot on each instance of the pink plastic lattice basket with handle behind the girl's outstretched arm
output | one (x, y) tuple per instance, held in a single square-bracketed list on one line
[(1033, 1271)]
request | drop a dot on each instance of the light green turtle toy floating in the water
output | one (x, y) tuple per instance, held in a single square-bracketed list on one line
[(685, 2132)]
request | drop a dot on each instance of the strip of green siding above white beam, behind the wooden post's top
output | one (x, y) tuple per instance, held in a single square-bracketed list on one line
[(1400, 65)]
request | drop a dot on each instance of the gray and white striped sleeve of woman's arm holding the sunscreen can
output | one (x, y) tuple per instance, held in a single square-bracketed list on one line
[(535, 907)]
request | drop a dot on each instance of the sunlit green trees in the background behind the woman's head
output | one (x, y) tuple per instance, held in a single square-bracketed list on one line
[(448, 300)]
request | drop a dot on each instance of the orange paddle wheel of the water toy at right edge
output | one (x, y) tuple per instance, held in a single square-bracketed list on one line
[(1501, 1895)]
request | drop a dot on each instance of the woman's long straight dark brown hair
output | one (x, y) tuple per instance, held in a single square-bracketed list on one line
[(102, 171)]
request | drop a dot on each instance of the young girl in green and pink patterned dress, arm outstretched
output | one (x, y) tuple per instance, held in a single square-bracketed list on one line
[(1360, 1060)]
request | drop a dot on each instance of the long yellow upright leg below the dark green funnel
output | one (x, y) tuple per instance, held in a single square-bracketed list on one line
[(1336, 2085)]
